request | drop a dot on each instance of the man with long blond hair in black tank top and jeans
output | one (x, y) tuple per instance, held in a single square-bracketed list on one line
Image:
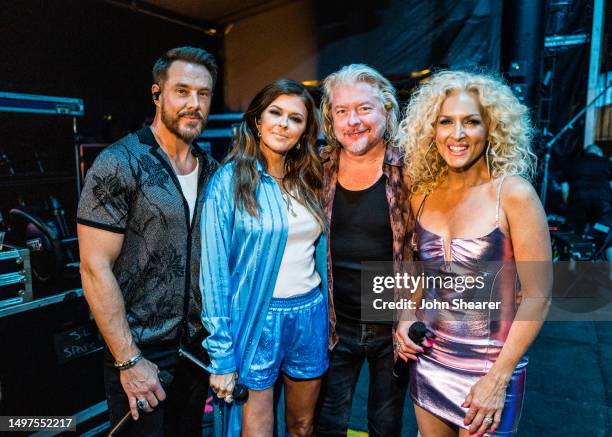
[(365, 199)]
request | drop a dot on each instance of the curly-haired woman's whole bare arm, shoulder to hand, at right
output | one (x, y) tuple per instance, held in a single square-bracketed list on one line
[(528, 229)]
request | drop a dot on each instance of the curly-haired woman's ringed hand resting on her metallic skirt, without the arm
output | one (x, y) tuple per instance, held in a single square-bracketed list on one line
[(485, 402)]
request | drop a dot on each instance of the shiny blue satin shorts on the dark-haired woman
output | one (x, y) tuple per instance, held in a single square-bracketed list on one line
[(293, 340)]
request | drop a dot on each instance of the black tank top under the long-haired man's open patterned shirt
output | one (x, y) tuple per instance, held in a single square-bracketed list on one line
[(360, 231)]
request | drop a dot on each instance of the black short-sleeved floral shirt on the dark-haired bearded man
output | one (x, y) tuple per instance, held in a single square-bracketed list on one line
[(132, 189)]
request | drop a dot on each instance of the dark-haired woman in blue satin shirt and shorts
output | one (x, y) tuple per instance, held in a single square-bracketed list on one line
[(263, 265)]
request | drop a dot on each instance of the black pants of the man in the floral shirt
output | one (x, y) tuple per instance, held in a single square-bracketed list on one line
[(179, 415)]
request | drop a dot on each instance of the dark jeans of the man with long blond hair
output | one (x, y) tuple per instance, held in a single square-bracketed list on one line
[(360, 341)]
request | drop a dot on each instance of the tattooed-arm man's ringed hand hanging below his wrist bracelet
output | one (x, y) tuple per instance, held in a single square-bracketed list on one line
[(142, 383)]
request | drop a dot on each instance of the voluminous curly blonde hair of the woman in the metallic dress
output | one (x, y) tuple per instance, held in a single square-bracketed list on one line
[(506, 118)]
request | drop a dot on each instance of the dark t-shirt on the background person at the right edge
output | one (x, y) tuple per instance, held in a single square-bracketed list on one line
[(589, 178)]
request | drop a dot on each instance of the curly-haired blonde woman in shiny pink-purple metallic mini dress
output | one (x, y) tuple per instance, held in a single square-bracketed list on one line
[(467, 143)]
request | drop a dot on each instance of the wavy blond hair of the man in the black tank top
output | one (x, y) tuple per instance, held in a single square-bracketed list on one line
[(350, 74)]
